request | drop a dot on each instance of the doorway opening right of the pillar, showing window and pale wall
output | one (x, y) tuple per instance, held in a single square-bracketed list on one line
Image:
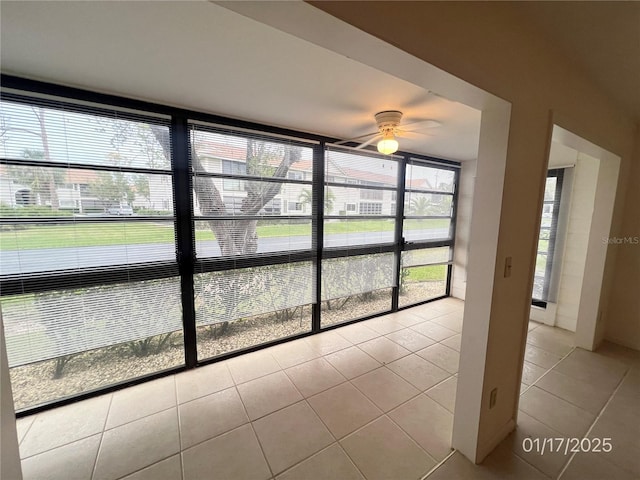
[(574, 233)]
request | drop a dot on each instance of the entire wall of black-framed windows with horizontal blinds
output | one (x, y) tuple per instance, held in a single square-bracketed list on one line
[(137, 239)]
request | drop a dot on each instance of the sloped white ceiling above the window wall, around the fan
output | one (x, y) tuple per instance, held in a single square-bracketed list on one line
[(201, 56)]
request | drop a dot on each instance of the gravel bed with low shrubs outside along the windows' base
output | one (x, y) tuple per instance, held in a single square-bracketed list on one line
[(34, 384)]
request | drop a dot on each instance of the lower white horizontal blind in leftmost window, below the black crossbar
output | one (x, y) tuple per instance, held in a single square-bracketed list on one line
[(47, 325)]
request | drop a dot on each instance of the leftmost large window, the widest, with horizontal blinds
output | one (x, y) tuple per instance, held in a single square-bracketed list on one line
[(90, 290)]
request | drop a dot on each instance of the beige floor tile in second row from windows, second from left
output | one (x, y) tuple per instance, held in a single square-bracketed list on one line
[(135, 445)]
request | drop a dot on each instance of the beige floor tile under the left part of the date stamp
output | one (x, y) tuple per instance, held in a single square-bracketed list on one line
[(550, 463)]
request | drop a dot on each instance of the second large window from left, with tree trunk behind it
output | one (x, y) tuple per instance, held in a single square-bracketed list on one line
[(238, 308)]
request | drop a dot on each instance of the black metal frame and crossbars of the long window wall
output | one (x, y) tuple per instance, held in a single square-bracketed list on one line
[(186, 264)]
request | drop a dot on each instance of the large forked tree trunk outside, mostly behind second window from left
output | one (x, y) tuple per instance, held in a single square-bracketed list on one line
[(238, 236)]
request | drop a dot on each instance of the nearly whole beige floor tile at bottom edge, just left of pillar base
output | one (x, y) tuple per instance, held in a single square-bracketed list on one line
[(382, 451)]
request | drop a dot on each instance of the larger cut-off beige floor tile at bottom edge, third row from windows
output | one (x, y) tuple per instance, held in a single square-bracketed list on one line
[(234, 455)]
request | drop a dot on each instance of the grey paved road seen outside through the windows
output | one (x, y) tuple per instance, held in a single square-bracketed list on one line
[(46, 259)]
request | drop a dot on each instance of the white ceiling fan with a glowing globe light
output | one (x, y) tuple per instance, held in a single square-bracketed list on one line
[(389, 128)]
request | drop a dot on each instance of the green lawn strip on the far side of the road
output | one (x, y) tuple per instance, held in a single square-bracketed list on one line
[(123, 233)]
